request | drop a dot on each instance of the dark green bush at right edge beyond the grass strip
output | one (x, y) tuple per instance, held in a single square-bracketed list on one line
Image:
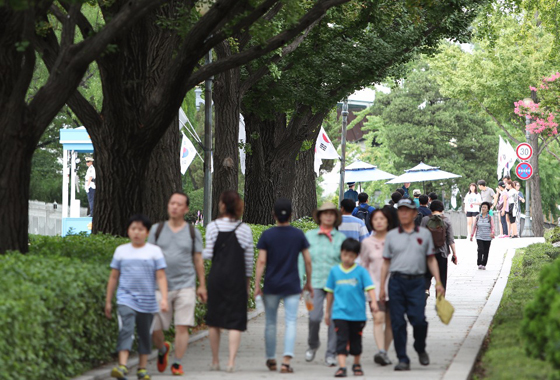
[(541, 323)]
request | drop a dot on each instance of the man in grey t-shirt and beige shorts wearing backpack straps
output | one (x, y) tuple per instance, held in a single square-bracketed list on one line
[(181, 244)]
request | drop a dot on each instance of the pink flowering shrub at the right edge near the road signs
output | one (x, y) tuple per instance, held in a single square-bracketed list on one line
[(543, 114)]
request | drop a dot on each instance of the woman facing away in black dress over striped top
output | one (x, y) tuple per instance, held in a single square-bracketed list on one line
[(229, 244)]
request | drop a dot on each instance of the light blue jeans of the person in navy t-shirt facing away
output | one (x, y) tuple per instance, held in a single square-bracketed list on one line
[(271, 303)]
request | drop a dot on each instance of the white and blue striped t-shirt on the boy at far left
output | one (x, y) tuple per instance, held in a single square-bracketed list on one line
[(137, 279)]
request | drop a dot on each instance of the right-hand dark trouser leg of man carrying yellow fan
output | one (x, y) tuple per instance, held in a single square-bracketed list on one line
[(416, 314)]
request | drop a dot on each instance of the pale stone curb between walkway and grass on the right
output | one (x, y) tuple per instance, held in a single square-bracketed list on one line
[(463, 363)]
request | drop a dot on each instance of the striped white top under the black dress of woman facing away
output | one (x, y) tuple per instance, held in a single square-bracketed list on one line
[(243, 234)]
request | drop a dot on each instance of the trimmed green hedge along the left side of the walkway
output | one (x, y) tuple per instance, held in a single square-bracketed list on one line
[(52, 305)]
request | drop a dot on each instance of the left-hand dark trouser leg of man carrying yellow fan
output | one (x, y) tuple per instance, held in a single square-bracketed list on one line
[(397, 311)]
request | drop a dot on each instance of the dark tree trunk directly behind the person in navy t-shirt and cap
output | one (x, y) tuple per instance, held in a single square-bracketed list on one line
[(270, 168)]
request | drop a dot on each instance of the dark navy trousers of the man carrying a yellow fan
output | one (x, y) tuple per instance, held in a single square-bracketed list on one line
[(408, 297)]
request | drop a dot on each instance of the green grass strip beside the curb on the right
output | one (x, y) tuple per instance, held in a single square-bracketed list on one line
[(504, 355)]
